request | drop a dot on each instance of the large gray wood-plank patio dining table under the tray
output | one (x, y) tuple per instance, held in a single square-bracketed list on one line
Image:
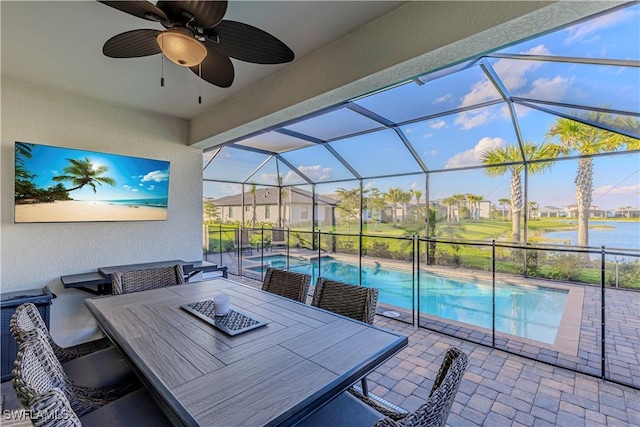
[(272, 375)]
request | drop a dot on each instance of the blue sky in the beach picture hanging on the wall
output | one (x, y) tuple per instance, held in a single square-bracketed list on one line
[(136, 178)]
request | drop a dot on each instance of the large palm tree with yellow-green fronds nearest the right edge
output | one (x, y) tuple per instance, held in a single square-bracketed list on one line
[(587, 141)]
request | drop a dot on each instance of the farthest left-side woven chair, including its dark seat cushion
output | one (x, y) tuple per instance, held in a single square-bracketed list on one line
[(101, 368)]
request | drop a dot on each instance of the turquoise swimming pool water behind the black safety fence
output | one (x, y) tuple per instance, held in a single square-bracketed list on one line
[(526, 311)]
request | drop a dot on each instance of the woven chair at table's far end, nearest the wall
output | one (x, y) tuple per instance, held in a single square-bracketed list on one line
[(125, 282)]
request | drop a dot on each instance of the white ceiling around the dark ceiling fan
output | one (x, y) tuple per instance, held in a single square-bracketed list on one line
[(58, 44)]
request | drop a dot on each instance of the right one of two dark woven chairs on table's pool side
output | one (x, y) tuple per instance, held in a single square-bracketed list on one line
[(356, 302)]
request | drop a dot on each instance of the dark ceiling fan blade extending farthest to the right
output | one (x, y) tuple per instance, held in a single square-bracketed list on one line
[(248, 43)]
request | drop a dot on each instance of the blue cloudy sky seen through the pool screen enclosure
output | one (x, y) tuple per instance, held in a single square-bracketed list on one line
[(450, 141)]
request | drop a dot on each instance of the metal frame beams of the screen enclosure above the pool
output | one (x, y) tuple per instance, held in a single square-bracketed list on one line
[(275, 143)]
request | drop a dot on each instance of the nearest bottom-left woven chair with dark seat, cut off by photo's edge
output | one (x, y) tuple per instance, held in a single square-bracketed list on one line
[(52, 409)]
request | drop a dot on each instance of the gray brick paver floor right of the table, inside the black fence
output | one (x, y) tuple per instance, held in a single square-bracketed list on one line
[(499, 388)]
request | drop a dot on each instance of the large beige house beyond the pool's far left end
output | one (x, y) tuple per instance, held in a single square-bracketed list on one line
[(297, 207)]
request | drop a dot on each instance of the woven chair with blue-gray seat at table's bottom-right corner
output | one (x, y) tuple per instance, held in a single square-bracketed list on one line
[(353, 409)]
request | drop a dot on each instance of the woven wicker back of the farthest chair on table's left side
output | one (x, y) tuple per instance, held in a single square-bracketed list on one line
[(26, 321)]
